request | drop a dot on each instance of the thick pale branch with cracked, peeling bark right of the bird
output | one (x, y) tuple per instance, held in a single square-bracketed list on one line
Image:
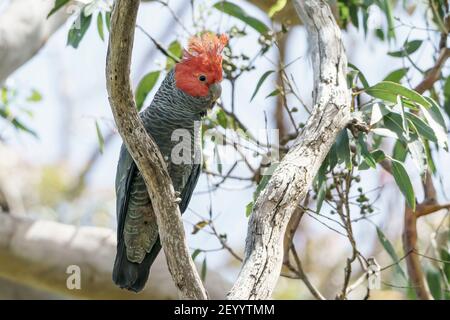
[(294, 175)]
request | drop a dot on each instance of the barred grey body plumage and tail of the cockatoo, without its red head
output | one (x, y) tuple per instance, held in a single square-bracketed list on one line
[(137, 231)]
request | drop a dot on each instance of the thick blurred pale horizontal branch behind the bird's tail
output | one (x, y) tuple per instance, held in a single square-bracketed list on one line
[(37, 254)]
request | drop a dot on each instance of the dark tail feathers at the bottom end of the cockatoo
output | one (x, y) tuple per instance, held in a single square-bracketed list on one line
[(131, 275)]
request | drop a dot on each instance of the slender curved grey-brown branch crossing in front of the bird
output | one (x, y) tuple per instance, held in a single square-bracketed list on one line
[(146, 153)]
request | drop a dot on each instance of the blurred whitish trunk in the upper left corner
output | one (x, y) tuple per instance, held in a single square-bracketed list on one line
[(24, 29)]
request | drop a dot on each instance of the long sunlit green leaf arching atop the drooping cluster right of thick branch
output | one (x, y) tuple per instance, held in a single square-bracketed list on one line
[(388, 91)]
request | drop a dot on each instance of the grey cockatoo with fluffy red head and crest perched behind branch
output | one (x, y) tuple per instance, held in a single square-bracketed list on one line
[(189, 89)]
